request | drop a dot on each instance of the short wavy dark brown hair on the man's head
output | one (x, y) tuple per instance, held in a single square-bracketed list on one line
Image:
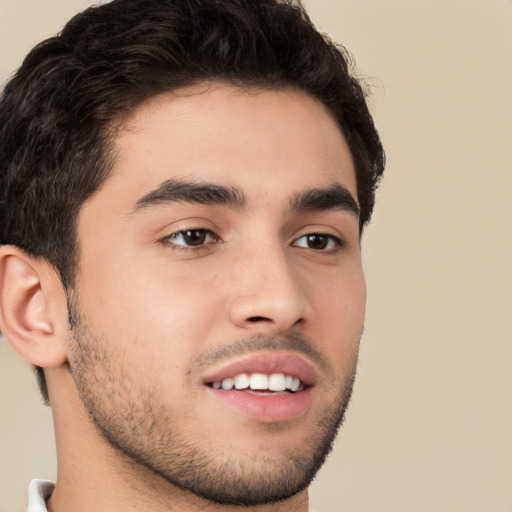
[(59, 111)]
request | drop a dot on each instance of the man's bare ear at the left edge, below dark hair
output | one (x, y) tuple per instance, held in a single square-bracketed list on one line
[(33, 310)]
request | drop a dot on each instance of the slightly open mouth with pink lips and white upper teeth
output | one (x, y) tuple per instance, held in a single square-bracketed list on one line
[(268, 386)]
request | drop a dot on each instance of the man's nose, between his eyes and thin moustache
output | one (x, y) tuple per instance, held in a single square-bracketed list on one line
[(268, 295)]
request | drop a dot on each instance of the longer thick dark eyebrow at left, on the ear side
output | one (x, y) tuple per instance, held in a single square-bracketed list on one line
[(181, 191)]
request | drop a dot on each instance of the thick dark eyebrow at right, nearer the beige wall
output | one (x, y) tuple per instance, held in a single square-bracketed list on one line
[(334, 197)]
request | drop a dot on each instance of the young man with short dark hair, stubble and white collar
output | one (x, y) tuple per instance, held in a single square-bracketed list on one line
[(184, 186)]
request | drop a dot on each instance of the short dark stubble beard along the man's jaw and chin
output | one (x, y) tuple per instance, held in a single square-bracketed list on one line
[(136, 423)]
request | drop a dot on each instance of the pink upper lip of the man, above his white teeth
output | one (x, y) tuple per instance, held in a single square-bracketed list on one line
[(266, 361)]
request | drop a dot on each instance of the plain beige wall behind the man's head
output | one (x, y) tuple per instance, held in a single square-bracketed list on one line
[(430, 426)]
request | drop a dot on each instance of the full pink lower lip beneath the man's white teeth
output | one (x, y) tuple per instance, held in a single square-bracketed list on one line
[(266, 408)]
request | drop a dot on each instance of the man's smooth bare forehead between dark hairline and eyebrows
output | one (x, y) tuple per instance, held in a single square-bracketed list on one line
[(260, 140)]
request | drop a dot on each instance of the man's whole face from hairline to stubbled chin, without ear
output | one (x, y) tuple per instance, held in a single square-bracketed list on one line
[(220, 295)]
